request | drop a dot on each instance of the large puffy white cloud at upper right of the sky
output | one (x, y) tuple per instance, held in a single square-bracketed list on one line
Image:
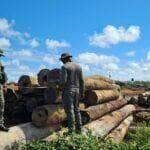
[(112, 36)]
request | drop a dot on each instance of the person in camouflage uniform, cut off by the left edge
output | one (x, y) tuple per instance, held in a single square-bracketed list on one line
[(3, 79)]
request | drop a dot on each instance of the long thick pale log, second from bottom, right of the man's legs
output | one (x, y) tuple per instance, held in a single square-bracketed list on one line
[(103, 126)]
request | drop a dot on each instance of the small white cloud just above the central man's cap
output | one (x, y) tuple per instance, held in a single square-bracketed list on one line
[(54, 44)]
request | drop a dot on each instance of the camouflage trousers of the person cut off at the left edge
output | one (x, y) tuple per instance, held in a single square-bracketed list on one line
[(1, 105)]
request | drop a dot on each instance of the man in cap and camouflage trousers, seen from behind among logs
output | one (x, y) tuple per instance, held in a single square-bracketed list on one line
[(73, 89)]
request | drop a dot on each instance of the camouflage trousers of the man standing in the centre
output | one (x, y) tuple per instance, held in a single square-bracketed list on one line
[(70, 100)]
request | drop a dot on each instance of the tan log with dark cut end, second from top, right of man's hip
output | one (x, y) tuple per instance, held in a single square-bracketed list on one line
[(95, 97)]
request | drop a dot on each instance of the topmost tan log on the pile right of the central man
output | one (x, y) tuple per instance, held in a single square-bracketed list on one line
[(94, 84)]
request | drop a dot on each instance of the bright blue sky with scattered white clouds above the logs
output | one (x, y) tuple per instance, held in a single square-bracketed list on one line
[(104, 36)]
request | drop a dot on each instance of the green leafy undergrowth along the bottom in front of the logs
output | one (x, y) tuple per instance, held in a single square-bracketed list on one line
[(139, 140)]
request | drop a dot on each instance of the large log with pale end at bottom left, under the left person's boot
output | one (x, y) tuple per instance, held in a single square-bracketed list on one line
[(24, 133)]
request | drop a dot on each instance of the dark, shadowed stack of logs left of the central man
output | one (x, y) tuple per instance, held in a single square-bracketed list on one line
[(29, 93)]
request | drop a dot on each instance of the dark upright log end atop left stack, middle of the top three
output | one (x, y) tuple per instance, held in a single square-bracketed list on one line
[(43, 77)]
